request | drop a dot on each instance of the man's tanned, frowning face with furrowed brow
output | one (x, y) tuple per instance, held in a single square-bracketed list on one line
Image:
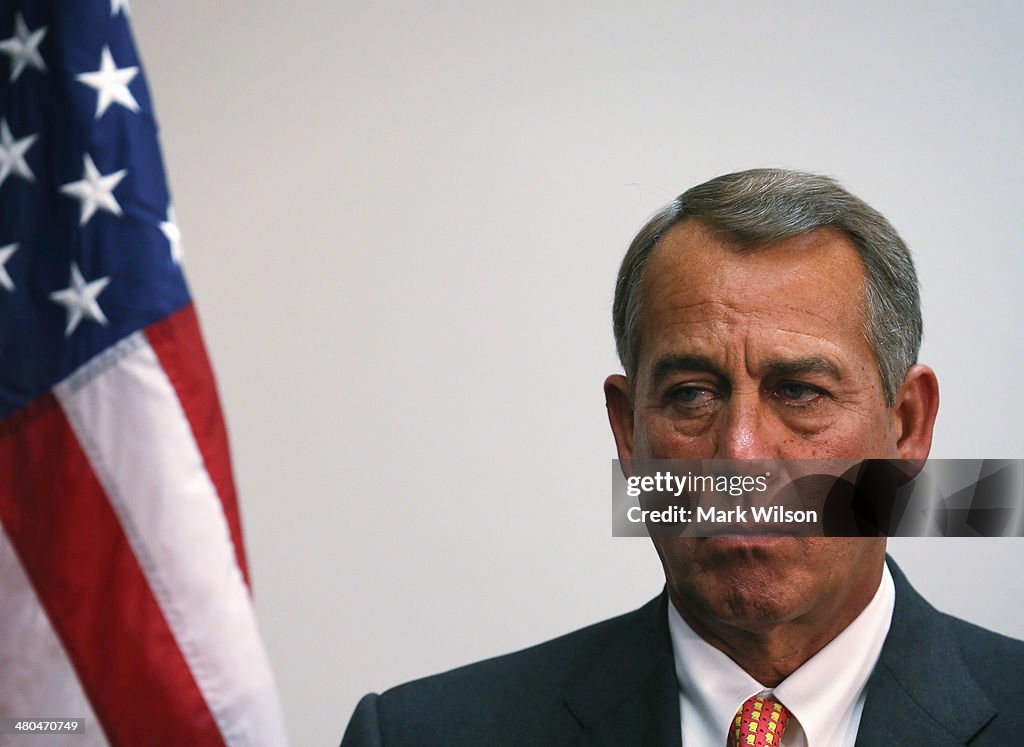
[(759, 356)]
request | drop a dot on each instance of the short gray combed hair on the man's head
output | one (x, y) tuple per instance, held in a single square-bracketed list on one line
[(754, 210)]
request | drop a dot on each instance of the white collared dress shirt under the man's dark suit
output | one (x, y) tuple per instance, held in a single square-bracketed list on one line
[(825, 697)]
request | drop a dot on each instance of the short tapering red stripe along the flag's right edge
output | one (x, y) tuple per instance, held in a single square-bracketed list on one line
[(179, 346)]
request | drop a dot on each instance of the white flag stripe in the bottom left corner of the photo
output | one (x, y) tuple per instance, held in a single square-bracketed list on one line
[(38, 679)]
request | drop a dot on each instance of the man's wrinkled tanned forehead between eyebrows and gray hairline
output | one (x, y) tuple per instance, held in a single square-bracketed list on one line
[(699, 287)]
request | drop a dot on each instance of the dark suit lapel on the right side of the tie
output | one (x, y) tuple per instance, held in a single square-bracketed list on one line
[(921, 692)]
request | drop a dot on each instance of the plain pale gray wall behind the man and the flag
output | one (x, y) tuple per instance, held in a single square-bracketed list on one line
[(403, 223)]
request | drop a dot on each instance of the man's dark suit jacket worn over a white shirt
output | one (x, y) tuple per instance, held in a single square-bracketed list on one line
[(940, 681)]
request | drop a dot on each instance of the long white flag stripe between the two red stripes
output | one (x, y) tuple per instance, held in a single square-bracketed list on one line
[(132, 427)]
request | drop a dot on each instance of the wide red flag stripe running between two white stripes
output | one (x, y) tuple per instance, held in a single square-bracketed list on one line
[(93, 589)]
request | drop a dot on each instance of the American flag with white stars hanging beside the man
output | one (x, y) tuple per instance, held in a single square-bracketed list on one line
[(124, 595)]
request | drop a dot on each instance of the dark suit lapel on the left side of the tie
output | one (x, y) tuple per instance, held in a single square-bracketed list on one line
[(629, 695)]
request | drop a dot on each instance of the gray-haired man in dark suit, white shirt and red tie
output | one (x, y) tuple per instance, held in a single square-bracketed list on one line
[(764, 315)]
